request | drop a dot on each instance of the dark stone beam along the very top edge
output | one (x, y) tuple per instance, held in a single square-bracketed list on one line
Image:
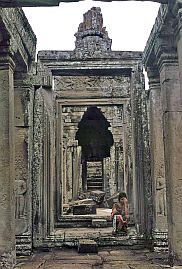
[(34, 3)]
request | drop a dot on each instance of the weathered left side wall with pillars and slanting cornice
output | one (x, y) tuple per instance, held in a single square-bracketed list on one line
[(17, 51)]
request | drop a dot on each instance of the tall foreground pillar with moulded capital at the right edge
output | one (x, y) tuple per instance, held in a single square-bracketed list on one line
[(171, 94)]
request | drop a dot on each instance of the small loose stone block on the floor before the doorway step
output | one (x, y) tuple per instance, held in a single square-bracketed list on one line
[(87, 246)]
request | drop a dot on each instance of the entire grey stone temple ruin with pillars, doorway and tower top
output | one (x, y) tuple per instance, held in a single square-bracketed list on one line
[(78, 127)]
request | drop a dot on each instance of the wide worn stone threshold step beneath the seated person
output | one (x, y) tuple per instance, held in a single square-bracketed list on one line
[(102, 236)]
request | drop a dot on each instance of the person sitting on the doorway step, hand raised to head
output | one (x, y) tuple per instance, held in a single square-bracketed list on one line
[(120, 214)]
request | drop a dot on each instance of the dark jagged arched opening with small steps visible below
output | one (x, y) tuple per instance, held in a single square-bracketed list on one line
[(95, 140)]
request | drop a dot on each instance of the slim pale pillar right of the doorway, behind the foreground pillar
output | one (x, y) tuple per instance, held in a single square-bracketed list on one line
[(157, 152)]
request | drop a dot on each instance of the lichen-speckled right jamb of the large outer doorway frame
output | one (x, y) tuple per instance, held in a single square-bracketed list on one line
[(140, 154)]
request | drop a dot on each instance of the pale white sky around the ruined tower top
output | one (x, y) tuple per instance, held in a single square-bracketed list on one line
[(128, 23)]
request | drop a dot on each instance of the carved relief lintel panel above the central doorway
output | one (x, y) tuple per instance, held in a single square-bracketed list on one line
[(106, 85)]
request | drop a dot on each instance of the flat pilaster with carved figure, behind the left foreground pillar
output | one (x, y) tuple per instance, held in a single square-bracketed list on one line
[(23, 182)]
